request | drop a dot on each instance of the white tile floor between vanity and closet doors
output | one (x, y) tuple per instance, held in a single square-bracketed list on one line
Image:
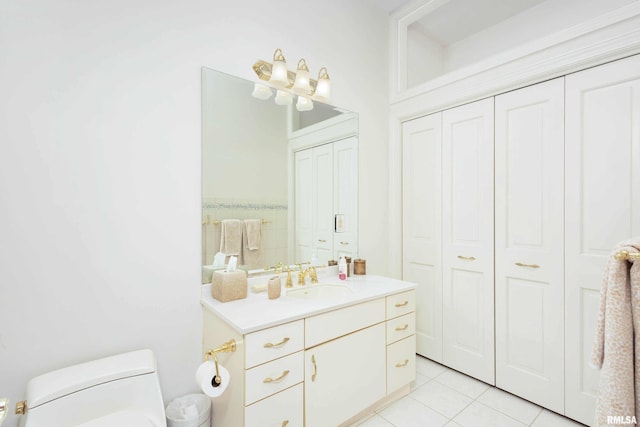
[(443, 397)]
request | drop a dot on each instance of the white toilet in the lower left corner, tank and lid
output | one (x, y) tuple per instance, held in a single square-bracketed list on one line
[(122, 390)]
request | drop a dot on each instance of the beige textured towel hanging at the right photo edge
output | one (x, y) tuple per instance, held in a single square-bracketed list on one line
[(616, 351)]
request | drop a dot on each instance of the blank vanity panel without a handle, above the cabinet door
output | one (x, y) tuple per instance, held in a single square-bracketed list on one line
[(327, 326)]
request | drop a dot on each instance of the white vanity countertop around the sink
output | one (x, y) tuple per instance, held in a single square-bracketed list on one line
[(257, 311)]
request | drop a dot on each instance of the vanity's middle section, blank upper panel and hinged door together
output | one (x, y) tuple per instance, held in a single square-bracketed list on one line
[(344, 362)]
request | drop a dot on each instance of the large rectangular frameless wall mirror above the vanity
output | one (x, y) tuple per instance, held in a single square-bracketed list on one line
[(295, 172)]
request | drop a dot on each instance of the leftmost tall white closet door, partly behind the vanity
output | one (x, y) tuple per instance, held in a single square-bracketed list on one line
[(422, 227)]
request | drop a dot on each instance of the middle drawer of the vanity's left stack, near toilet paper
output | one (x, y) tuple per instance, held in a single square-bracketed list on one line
[(272, 377)]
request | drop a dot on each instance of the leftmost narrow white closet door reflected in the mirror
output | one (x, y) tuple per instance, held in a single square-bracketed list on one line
[(303, 165)]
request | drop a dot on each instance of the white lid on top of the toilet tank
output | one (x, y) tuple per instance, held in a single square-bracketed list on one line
[(55, 384)]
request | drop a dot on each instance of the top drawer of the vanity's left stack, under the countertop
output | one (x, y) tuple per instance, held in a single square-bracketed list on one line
[(272, 343)]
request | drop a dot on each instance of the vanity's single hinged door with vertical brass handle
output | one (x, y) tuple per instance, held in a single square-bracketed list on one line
[(344, 376)]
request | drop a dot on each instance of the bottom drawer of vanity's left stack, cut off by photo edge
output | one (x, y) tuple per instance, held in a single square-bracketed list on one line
[(284, 408)]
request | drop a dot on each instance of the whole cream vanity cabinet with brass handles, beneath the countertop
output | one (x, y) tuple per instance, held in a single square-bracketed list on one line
[(329, 368)]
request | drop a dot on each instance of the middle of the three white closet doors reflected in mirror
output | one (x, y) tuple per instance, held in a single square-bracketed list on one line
[(322, 194)]
